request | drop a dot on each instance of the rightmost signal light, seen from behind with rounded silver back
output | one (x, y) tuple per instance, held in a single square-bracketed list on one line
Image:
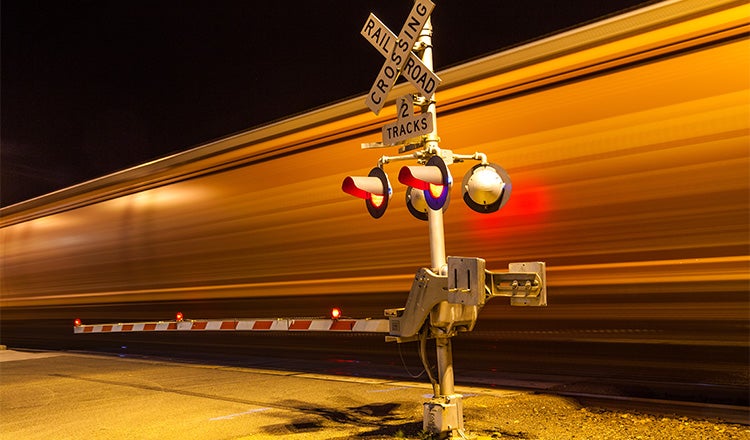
[(486, 188)]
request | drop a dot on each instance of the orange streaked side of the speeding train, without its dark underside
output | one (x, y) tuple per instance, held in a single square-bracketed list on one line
[(635, 174)]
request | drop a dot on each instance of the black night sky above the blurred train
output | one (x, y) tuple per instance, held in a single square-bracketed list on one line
[(93, 87)]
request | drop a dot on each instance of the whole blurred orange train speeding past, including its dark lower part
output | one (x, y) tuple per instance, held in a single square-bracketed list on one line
[(628, 144)]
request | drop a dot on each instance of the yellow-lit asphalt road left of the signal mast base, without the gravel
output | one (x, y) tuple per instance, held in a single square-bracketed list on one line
[(61, 395)]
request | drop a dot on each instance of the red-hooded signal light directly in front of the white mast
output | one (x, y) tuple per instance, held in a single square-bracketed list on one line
[(433, 179)]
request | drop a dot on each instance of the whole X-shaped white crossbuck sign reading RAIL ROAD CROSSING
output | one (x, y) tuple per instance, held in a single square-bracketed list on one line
[(399, 56)]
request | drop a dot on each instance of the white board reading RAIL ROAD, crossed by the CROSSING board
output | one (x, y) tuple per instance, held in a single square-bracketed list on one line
[(414, 70)]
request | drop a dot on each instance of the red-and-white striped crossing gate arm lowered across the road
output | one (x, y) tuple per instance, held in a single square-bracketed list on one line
[(253, 325)]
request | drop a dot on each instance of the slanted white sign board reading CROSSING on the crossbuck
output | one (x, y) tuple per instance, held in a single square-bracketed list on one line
[(399, 55)]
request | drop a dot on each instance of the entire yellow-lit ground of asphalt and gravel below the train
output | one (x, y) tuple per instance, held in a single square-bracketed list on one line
[(72, 395)]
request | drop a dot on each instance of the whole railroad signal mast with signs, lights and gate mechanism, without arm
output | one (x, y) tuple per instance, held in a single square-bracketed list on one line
[(446, 298)]
